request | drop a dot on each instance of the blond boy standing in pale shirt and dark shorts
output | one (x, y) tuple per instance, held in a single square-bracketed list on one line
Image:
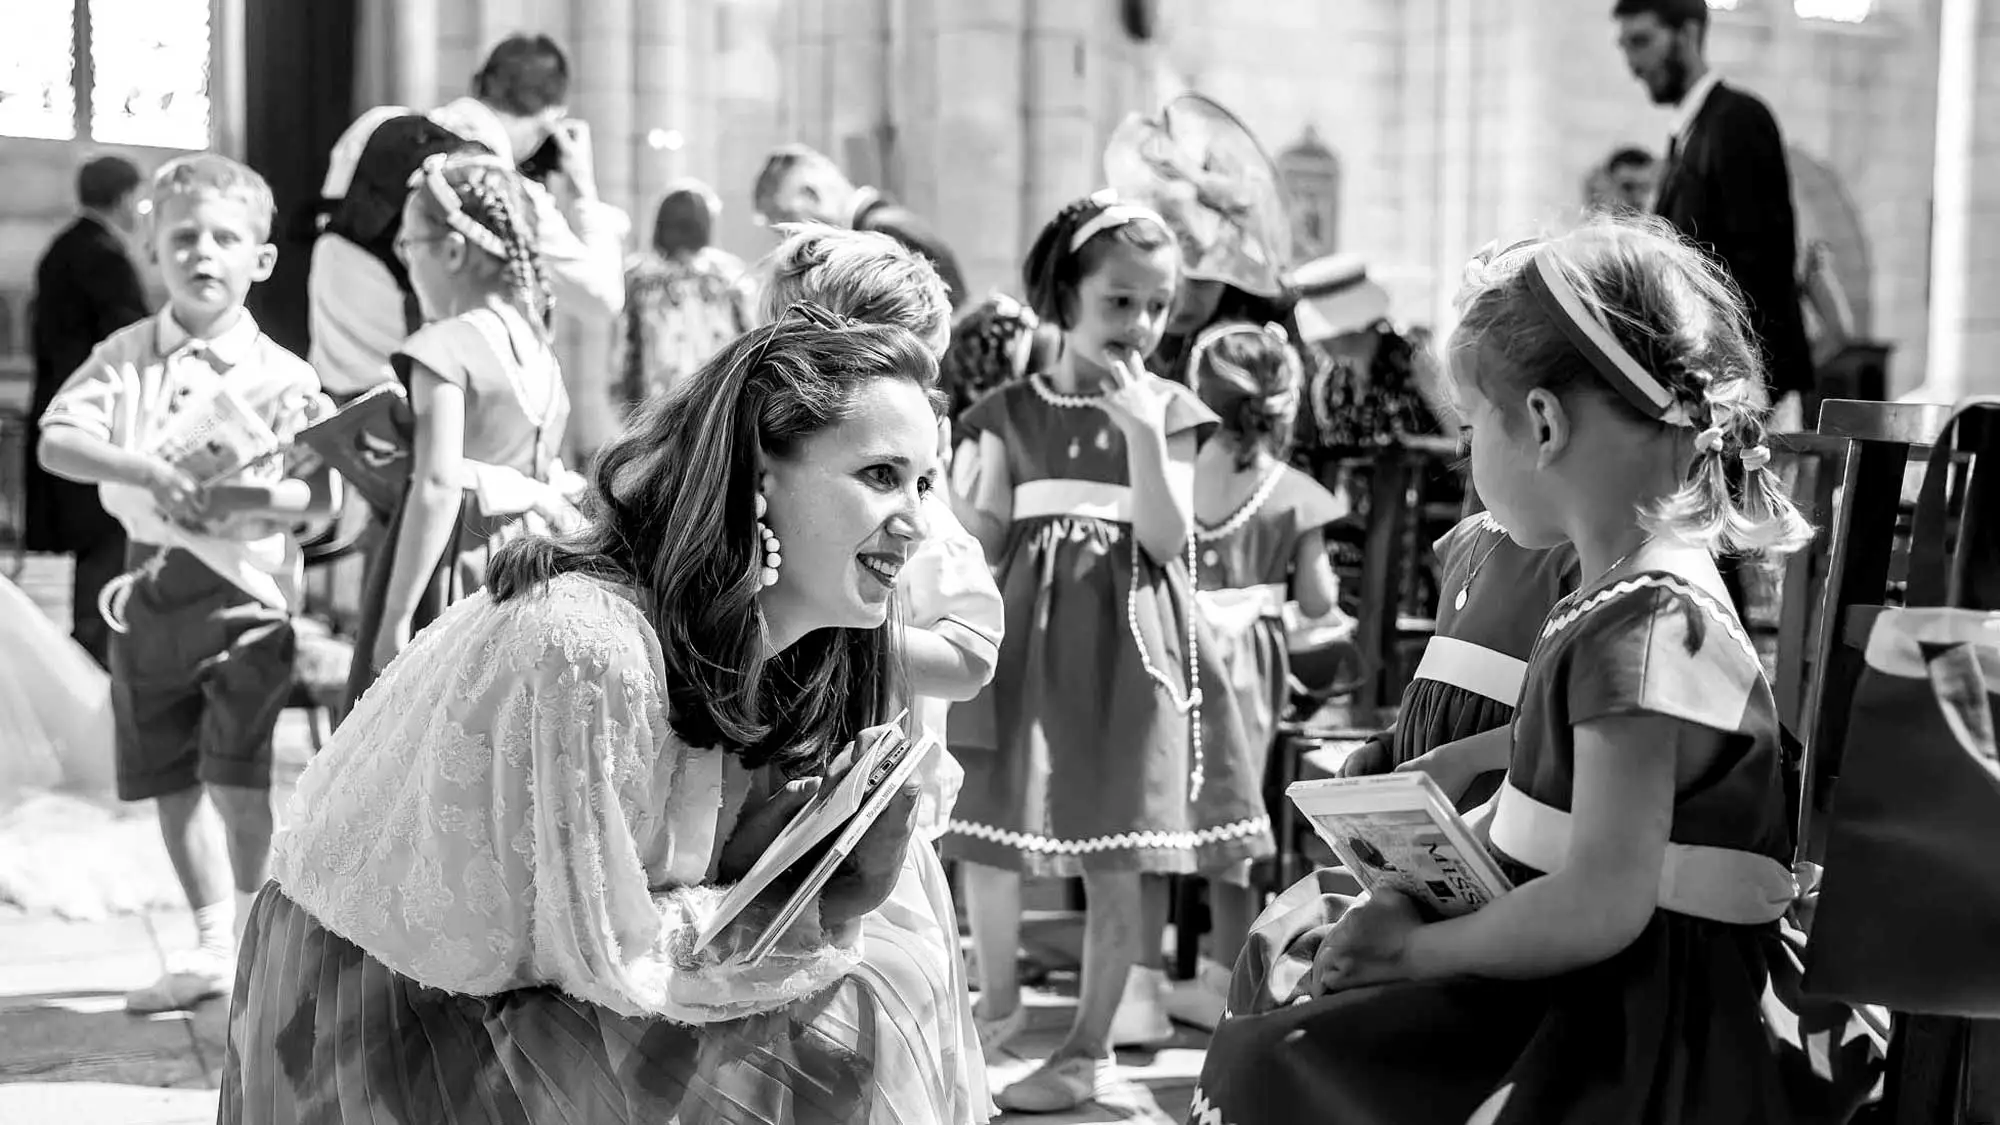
[(203, 660)]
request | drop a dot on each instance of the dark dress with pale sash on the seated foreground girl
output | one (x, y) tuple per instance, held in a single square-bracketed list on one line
[(1671, 1030)]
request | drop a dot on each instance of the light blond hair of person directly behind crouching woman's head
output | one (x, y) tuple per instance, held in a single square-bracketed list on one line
[(857, 273)]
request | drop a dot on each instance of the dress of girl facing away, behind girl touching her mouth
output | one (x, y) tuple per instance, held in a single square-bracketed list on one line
[(1245, 570)]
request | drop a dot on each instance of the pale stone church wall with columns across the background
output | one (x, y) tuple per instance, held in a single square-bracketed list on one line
[(1453, 121)]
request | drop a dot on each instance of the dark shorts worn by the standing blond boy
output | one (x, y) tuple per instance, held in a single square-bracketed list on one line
[(199, 682)]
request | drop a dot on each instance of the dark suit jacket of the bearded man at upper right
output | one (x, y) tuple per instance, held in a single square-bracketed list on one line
[(1731, 193)]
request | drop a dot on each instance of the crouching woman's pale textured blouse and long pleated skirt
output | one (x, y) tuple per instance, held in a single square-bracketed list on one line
[(485, 902)]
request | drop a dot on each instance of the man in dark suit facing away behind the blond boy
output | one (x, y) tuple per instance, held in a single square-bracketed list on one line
[(85, 289)]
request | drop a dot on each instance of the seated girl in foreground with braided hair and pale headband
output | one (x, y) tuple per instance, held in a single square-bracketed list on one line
[(1615, 401)]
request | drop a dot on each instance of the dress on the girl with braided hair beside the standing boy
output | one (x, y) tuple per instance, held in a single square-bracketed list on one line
[(517, 409)]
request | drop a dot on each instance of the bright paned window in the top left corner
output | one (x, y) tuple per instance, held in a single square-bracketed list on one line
[(109, 71)]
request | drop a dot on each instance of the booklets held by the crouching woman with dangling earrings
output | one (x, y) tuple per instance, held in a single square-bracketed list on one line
[(849, 802)]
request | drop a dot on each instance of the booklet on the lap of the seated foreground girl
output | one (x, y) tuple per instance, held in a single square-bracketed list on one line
[(1401, 832)]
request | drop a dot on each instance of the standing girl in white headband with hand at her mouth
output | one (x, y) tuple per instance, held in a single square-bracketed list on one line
[(1083, 752)]
